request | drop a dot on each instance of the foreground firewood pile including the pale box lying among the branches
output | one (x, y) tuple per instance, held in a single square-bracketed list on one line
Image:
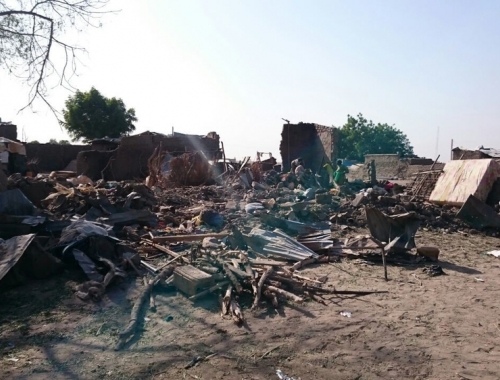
[(243, 280)]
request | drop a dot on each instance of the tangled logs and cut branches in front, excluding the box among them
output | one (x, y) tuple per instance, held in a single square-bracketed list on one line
[(235, 275)]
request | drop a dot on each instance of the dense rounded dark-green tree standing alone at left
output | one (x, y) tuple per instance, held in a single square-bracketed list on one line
[(89, 116)]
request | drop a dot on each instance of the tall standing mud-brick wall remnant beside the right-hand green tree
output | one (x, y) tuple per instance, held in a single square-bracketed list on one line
[(316, 144)]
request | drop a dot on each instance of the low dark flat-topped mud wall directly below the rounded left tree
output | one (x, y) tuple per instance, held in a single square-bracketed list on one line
[(53, 156)]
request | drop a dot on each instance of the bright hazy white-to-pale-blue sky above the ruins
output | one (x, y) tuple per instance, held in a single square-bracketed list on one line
[(238, 67)]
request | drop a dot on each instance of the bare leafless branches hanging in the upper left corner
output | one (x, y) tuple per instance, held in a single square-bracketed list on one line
[(32, 33)]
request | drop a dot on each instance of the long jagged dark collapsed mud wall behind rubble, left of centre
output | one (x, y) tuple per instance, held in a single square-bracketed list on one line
[(130, 159)]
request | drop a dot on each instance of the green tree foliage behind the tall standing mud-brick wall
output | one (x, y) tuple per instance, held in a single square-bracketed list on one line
[(360, 136)]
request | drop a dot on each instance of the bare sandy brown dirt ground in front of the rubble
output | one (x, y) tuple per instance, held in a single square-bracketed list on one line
[(425, 327)]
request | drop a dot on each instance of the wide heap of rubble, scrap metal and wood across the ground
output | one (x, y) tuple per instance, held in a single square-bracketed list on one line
[(245, 238)]
